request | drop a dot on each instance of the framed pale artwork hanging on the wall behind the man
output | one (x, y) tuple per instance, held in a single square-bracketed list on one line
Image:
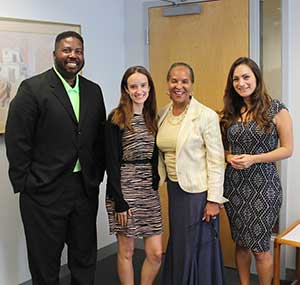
[(25, 50)]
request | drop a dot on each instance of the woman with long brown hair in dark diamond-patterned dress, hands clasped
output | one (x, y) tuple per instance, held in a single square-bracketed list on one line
[(251, 124)]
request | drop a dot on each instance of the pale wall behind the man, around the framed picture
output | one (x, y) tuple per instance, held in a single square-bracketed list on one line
[(103, 31)]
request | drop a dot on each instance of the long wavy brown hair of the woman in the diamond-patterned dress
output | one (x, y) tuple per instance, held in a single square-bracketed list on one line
[(234, 103)]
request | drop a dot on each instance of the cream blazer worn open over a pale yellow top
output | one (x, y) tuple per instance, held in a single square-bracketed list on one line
[(200, 160)]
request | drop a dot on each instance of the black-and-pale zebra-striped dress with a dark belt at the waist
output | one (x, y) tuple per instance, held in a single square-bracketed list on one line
[(136, 184)]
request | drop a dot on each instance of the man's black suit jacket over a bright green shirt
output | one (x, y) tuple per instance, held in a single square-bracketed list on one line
[(43, 138)]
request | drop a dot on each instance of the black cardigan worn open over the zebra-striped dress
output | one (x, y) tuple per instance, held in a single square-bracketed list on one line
[(114, 154)]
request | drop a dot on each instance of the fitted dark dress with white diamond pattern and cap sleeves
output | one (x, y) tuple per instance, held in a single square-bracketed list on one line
[(255, 193)]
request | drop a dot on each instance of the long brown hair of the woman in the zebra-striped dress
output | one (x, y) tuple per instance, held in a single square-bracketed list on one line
[(122, 115)]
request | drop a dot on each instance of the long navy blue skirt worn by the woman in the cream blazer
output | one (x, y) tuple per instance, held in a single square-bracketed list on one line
[(193, 255)]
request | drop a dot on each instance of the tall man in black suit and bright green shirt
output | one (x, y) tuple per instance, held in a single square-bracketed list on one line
[(54, 140)]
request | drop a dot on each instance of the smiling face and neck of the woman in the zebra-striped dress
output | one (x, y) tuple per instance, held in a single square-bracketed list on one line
[(138, 90)]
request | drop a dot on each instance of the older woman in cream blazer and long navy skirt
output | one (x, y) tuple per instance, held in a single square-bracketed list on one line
[(191, 160)]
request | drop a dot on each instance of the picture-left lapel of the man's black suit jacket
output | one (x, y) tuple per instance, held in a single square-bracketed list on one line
[(61, 94)]
